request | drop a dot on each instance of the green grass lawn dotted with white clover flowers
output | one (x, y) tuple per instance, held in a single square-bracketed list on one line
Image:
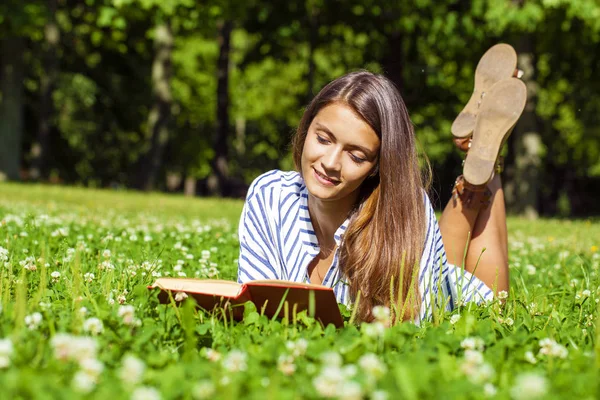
[(124, 238)]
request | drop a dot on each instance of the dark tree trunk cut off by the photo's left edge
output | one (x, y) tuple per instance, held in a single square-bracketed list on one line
[(11, 106)]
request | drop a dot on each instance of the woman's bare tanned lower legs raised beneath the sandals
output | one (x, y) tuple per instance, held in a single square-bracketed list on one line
[(466, 232)]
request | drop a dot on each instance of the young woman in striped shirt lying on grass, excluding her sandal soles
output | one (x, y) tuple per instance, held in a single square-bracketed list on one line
[(356, 217)]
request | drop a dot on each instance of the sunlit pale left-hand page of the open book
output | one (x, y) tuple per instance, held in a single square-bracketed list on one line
[(207, 286)]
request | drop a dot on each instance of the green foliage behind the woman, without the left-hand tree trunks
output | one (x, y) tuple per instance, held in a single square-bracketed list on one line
[(281, 55)]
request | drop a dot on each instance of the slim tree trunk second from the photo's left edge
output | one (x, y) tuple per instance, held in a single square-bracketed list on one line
[(41, 150)]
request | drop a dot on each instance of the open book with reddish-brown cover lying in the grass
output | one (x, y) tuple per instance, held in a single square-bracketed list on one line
[(267, 295)]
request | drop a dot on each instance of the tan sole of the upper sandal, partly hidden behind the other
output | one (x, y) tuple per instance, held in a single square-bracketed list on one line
[(499, 62)]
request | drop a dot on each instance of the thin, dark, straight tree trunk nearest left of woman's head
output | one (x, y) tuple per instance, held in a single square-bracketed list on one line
[(218, 181)]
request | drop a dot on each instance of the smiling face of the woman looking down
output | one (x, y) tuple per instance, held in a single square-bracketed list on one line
[(340, 151)]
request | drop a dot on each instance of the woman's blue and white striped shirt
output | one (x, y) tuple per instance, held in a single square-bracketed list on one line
[(277, 241)]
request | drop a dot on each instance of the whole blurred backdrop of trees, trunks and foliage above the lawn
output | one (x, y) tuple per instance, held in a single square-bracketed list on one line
[(202, 96)]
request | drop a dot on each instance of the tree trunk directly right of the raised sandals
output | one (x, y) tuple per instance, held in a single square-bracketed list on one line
[(522, 186)]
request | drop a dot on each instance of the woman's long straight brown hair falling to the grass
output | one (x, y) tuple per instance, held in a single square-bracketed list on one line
[(382, 247)]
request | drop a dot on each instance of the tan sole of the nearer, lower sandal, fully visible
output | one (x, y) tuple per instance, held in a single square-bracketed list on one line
[(500, 110)]
